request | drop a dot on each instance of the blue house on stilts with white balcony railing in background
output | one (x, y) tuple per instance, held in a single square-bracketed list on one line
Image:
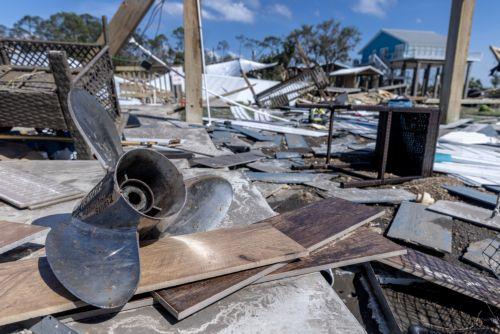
[(403, 50)]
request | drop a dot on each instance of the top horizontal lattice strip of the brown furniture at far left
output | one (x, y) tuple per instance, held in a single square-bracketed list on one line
[(35, 53)]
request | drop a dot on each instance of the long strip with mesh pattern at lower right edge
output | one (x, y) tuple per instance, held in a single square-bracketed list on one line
[(448, 275)]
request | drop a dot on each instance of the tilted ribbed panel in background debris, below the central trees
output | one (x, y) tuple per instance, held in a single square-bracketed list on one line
[(292, 88)]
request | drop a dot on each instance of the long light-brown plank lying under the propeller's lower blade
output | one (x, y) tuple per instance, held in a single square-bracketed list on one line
[(167, 262)]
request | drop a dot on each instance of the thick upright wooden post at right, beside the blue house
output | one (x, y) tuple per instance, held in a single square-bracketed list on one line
[(457, 48)]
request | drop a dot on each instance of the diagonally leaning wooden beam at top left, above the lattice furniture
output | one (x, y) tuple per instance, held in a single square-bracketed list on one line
[(123, 24)]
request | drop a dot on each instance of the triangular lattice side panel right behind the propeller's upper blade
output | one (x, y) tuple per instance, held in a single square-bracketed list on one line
[(98, 80)]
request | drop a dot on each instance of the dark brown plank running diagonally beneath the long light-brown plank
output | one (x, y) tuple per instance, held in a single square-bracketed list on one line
[(311, 226)]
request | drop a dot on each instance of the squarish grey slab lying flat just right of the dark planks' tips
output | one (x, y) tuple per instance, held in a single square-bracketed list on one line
[(416, 225)]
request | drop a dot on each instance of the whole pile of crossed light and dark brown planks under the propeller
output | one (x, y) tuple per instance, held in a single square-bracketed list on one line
[(189, 272)]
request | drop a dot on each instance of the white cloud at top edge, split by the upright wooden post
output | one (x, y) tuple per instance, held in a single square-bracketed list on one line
[(218, 10)]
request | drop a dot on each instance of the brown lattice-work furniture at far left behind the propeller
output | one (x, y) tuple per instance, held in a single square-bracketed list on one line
[(36, 76)]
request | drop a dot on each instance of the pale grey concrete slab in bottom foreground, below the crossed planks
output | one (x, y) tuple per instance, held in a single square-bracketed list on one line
[(304, 304)]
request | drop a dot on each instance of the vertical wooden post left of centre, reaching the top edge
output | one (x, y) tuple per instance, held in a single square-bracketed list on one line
[(192, 63)]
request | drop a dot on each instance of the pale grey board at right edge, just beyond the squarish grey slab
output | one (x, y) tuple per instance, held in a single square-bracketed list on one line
[(466, 212)]
